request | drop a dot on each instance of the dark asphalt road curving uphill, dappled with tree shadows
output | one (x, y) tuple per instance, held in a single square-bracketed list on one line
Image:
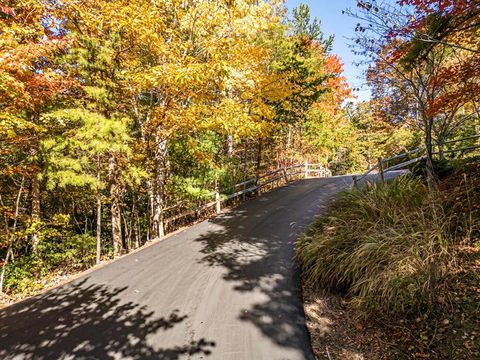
[(225, 289)]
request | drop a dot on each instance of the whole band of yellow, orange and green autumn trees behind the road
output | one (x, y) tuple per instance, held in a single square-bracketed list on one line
[(118, 116)]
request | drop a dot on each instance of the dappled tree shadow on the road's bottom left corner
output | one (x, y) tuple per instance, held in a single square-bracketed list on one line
[(87, 321)]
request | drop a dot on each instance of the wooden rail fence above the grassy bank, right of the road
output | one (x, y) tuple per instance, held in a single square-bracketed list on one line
[(382, 164)]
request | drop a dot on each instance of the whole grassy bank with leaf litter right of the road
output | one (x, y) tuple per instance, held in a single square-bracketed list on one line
[(404, 263)]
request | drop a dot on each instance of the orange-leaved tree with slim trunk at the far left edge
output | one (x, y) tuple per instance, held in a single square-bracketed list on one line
[(30, 86)]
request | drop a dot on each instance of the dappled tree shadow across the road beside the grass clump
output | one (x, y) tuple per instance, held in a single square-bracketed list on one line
[(257, 251)]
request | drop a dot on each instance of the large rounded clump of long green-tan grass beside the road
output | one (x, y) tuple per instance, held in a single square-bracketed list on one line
[(388, 246)]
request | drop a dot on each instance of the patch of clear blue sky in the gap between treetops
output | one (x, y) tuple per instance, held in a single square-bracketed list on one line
[(329, 12)]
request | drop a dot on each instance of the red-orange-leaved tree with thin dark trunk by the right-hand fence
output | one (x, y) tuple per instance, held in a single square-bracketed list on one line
[(413, 50)]
